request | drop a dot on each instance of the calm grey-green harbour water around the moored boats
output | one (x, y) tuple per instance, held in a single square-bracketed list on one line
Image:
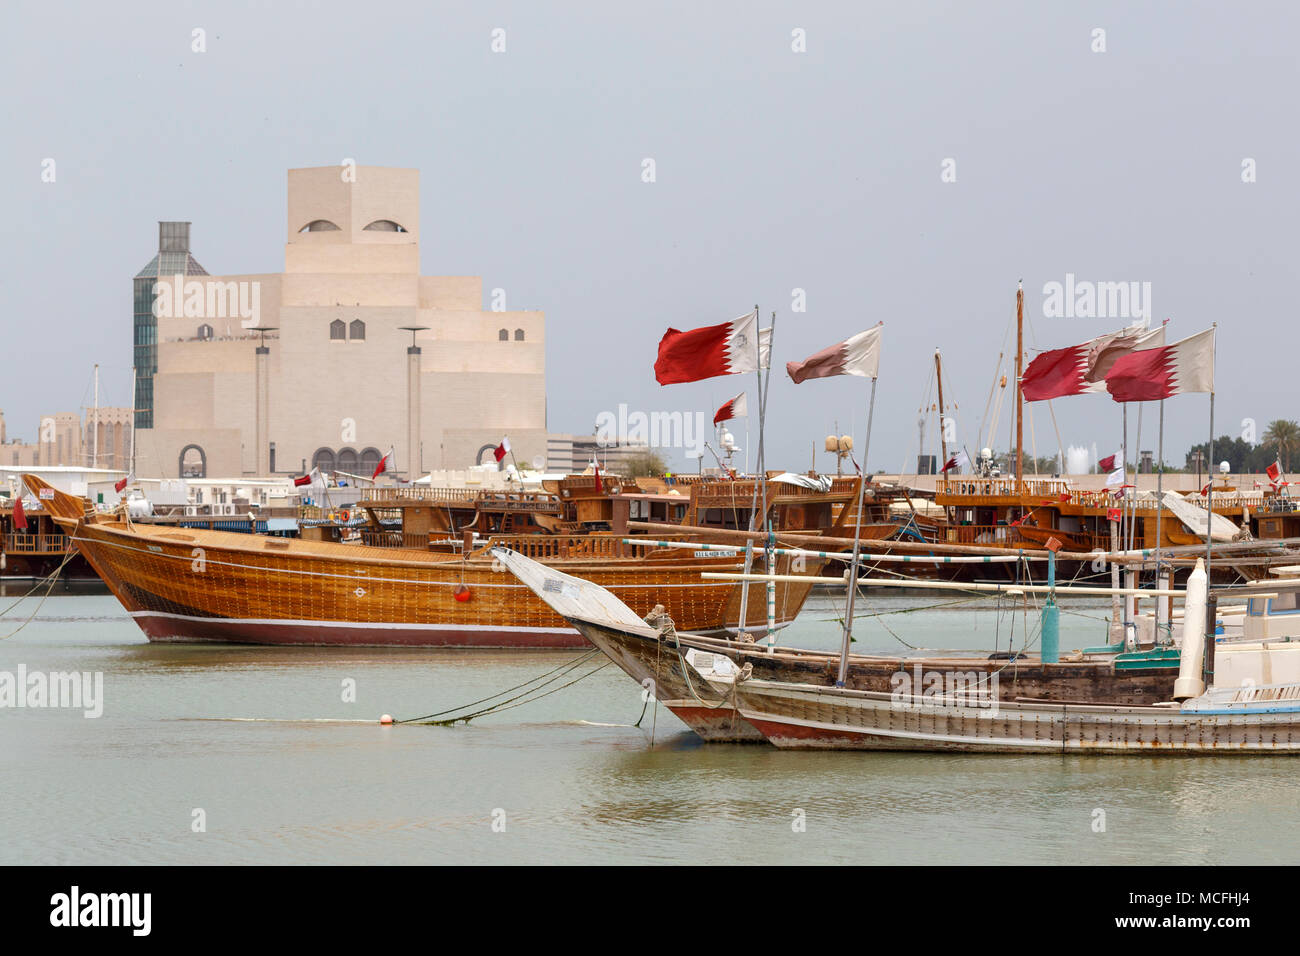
[(285, 771)]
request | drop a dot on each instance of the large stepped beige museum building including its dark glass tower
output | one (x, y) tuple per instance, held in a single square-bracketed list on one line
[(345, 354)]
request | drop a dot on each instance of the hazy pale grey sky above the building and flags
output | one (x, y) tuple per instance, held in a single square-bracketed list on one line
[(774, 171)]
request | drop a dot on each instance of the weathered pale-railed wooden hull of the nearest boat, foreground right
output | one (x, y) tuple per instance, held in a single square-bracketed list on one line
[(808, 717)]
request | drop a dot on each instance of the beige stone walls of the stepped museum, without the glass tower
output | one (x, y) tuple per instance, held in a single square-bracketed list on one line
[(336, 395)]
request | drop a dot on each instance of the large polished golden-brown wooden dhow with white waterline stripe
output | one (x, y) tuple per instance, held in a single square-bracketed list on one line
[(192, 585)]
